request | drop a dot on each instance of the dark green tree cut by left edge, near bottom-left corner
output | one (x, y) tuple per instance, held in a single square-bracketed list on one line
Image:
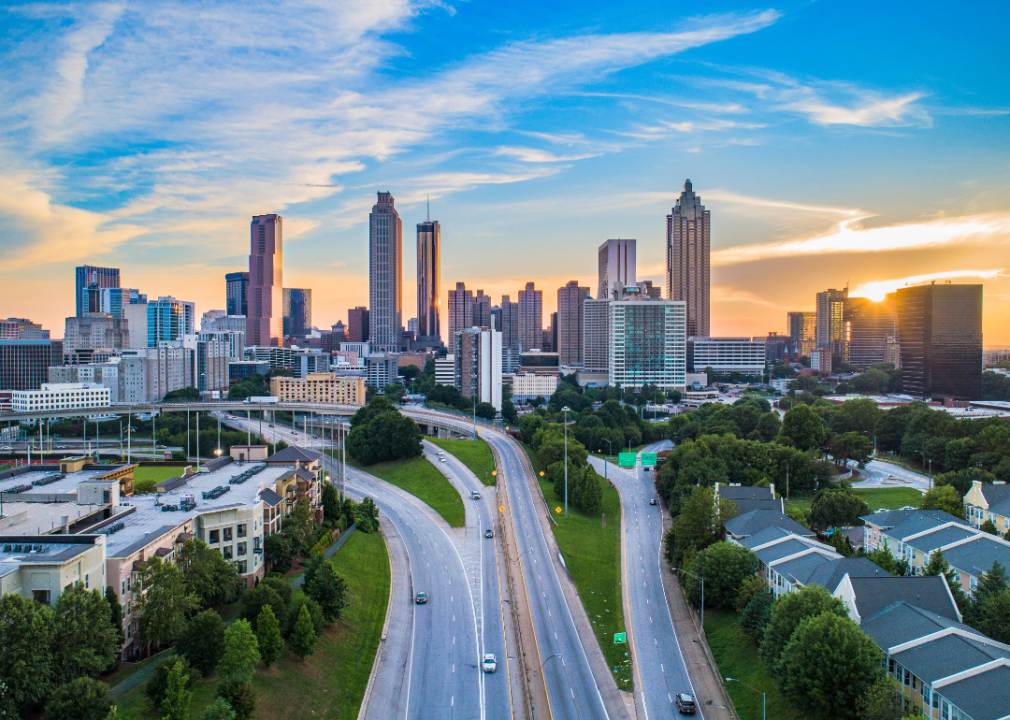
[(27, 660)]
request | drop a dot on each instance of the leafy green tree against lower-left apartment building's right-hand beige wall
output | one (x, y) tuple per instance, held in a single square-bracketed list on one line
[(164, 601)]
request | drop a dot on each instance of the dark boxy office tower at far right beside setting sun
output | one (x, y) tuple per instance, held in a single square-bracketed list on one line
[(940, 329)]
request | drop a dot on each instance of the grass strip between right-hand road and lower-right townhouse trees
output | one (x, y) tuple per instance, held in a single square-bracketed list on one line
[(737, 656)]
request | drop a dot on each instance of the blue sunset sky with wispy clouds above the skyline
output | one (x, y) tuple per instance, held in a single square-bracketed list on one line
[(836, 143)]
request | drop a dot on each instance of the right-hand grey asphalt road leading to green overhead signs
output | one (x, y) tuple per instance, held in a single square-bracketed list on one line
[(660, 670)]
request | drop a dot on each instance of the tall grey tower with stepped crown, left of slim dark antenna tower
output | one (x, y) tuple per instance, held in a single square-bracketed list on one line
[(385, 276)]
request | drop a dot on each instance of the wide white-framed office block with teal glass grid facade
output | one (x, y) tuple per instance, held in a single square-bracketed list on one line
[(648, 341)]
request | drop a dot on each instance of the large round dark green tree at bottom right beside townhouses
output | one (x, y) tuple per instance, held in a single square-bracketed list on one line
[(828, 665)]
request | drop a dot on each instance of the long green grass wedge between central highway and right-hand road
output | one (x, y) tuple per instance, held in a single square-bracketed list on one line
[(593, 557)]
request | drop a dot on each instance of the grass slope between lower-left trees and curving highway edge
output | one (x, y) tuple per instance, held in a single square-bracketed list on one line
[(331, 683)]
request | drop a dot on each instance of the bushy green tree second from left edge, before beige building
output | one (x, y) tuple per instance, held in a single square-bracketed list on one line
[(85, 641)]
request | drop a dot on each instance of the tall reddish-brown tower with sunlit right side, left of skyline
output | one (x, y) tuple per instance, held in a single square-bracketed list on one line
[(265, 320)]
